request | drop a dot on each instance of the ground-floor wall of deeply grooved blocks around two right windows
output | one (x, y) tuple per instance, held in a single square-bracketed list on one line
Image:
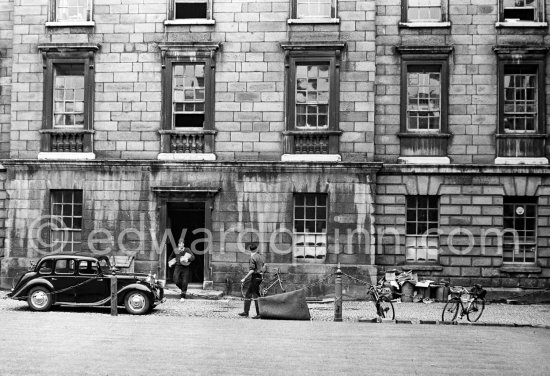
[(470, 202)]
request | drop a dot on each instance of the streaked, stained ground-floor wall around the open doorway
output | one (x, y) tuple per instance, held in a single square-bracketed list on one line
[(119, 196)]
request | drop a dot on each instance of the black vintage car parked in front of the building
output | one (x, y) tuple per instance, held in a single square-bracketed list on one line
[(85, 280)]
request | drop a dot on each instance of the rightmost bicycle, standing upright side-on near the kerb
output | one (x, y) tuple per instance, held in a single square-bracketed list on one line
[(474, 309)]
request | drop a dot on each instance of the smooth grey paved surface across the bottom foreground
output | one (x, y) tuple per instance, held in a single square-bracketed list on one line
[(67, 343)]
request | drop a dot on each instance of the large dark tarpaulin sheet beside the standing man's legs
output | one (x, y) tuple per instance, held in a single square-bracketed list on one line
[(287, 306)]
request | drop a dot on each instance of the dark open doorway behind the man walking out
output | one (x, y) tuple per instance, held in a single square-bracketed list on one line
[(183, 218)]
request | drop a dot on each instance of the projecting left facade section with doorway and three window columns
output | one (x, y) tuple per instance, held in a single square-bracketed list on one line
[(131, 115)]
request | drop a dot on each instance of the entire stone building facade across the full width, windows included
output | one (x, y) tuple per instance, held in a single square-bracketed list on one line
[(330, 131)]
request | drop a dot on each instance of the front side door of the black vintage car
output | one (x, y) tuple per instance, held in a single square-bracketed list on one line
[(93, 286)]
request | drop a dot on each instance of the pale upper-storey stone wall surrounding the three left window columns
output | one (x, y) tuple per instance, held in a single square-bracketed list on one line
[(249, 75)]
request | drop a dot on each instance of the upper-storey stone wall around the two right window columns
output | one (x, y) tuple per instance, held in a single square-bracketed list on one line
[(472, 75)]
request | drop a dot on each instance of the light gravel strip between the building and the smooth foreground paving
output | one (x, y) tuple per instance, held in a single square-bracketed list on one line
[(352, 310)]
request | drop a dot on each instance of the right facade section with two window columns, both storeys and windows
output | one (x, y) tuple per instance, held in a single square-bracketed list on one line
[(461, 125)]
